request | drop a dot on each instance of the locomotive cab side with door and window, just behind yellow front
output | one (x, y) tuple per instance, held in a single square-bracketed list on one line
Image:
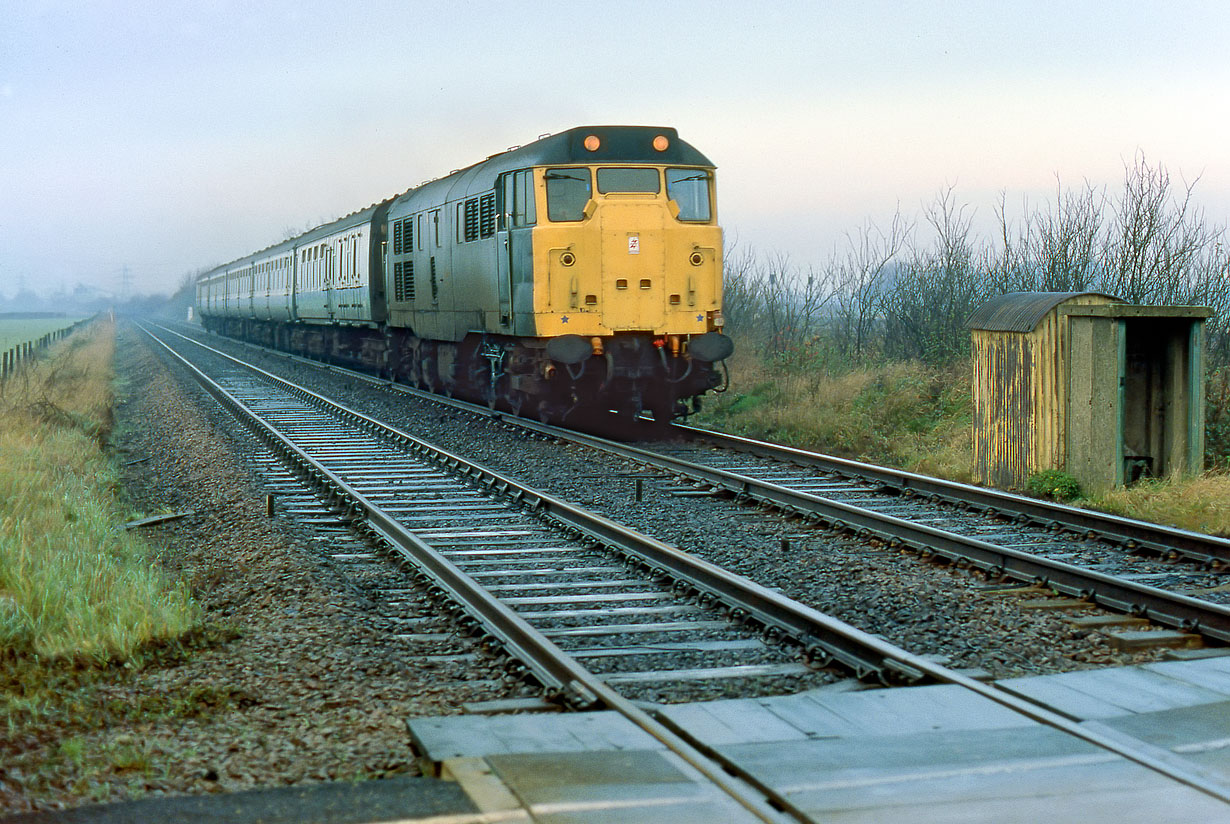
[(514, 250)]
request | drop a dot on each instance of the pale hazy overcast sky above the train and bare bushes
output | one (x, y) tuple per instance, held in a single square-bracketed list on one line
[(168, 137)]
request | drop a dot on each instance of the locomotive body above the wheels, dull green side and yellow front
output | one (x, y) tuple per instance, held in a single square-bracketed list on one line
[(518, 252)]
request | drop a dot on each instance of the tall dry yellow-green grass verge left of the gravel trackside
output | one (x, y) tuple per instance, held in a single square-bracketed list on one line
[(73, 584)]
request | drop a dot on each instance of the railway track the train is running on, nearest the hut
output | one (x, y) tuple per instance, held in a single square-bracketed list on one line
[(1172, 577)]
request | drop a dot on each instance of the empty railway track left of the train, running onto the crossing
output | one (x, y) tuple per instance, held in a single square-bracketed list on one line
[(451, 520)]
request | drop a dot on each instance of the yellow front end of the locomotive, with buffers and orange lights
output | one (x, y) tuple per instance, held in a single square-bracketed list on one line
[(628, 277)]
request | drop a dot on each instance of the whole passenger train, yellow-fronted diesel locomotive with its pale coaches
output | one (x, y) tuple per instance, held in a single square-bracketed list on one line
[(577, 275)]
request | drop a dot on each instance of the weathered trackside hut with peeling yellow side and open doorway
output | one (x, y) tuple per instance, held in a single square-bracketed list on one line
[(1084, 383)]
